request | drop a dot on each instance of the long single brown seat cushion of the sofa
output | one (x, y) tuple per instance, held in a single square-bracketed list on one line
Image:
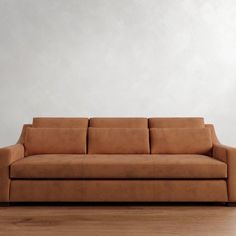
[(118, 167)]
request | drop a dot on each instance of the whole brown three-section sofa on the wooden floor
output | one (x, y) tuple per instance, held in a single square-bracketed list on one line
[(118, 159)]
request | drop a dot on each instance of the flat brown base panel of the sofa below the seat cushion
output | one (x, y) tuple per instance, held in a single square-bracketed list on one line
[(118, 190)]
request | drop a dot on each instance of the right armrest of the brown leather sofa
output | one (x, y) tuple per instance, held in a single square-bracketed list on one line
[(228, 155)]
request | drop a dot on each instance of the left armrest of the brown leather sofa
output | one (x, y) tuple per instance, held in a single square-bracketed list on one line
[(7, 156)]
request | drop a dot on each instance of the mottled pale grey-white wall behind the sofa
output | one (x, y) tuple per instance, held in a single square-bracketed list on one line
[(117, 58)]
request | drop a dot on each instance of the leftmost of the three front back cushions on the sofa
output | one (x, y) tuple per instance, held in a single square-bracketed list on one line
[(55, 141)]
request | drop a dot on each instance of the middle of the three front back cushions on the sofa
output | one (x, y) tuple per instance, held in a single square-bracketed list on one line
[(118, 141)]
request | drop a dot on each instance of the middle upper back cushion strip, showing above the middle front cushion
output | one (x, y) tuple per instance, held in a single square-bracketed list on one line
[(118, 122)]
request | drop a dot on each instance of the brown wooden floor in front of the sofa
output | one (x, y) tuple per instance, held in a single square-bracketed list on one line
[(118, 220)]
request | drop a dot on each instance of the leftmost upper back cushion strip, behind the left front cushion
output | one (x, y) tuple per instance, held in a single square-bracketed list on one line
[(57, 122)]
